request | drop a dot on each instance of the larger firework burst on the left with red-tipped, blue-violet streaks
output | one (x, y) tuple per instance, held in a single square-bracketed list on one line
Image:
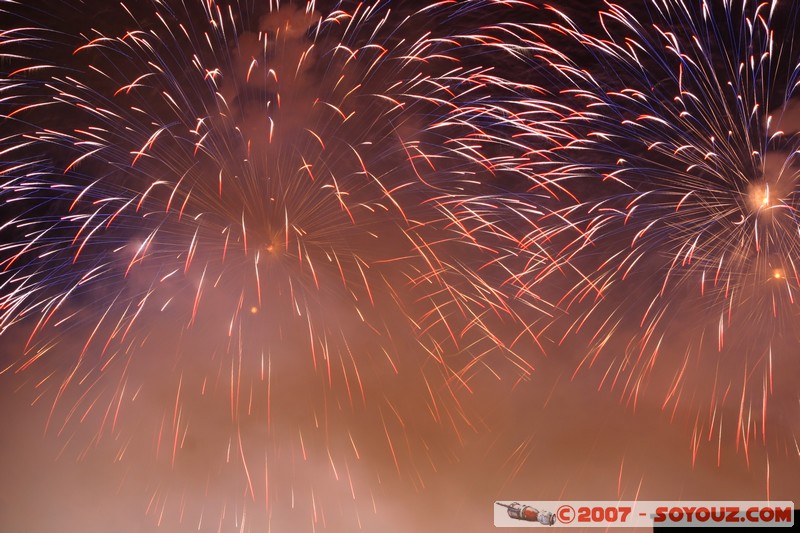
[(282, 225)]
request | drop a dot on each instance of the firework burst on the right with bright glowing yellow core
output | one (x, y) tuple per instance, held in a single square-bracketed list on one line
[(678, 249)]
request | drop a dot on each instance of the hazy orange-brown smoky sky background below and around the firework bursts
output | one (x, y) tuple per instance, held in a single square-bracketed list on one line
[(553, 435)]
